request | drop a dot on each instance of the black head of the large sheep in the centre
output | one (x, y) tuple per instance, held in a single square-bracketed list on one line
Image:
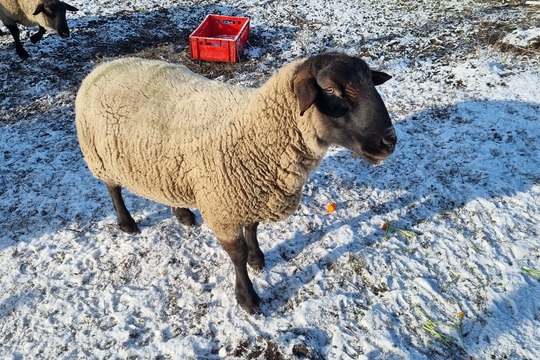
[(353, 115)]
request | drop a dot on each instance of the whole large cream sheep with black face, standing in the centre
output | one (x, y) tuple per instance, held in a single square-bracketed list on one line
[(240, 155)]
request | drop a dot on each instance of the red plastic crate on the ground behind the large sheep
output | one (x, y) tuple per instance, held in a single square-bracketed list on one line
[(219, 38)]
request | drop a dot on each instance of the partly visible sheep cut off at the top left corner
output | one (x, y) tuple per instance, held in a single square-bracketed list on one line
[(43, 13)]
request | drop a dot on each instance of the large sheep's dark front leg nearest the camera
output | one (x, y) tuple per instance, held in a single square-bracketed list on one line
[(246, 296)]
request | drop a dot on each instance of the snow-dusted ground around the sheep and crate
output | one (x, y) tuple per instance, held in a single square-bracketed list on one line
[(465, 182)]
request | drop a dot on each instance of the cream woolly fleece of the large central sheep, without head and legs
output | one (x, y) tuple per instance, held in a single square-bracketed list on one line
[(237, 154)]
